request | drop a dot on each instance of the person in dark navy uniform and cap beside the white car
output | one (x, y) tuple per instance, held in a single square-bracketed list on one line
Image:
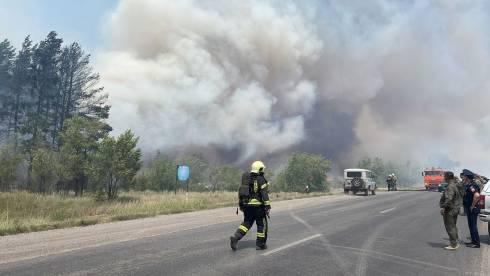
[(472, 209)]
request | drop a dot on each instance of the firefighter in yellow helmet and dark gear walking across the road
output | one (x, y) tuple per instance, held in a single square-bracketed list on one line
[(254, 203)]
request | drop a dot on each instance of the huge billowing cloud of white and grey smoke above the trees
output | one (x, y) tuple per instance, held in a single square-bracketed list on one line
[(397, 79)]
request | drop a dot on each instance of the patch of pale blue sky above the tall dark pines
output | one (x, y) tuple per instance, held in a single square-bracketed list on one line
[(78, 20)]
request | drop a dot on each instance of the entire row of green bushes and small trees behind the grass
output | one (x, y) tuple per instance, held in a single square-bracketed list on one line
[(90, 160)]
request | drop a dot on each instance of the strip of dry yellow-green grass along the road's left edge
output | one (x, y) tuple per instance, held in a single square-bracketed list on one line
[(22, 212)]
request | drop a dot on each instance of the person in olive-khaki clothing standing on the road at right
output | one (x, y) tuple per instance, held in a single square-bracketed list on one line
[(451, 201)]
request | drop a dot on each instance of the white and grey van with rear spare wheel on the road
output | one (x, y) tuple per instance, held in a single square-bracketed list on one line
[(359, 180)]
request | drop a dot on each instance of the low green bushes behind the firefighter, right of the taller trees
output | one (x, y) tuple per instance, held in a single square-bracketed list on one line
[(302, 169)]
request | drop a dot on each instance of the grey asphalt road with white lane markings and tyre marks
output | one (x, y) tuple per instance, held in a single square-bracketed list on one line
[(397, 233)]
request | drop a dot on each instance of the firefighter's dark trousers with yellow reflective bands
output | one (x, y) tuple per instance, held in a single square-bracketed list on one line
[(254, 214)]
